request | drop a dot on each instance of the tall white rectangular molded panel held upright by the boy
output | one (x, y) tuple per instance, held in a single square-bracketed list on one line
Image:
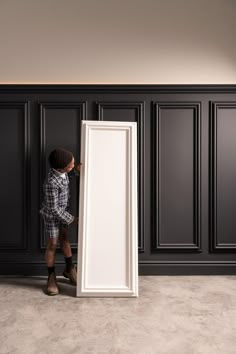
[(108, 233)]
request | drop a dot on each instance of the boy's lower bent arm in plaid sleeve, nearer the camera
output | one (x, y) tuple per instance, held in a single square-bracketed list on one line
[(51, 195)]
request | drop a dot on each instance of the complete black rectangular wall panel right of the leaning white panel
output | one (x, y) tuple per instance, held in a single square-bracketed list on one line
[(177, 160)]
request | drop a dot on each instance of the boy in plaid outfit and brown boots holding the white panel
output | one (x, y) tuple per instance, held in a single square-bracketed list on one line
[(56, 215)]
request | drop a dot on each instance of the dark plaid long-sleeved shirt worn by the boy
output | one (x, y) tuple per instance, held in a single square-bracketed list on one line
[(56, 198)]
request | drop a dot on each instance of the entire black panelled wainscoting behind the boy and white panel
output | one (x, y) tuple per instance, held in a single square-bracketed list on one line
[(186, 170)]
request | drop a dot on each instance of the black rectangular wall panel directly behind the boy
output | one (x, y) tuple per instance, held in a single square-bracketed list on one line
[(60, 127)]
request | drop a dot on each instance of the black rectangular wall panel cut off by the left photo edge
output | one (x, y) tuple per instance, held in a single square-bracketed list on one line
[(14, 177)]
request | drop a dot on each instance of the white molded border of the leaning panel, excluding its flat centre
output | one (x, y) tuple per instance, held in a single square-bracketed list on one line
[(132, 242)]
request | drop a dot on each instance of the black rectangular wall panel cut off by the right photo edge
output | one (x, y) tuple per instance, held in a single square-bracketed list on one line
[(223, 176)]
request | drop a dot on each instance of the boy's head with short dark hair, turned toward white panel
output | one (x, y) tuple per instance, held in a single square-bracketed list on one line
[(61, 160)]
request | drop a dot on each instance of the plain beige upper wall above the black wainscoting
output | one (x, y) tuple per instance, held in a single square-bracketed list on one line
[(118, 42)]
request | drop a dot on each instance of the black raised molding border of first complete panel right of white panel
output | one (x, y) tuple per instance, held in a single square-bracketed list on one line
[(156, 244)]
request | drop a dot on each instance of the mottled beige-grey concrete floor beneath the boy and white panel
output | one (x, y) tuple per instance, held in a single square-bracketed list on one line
[(173, 315)]
